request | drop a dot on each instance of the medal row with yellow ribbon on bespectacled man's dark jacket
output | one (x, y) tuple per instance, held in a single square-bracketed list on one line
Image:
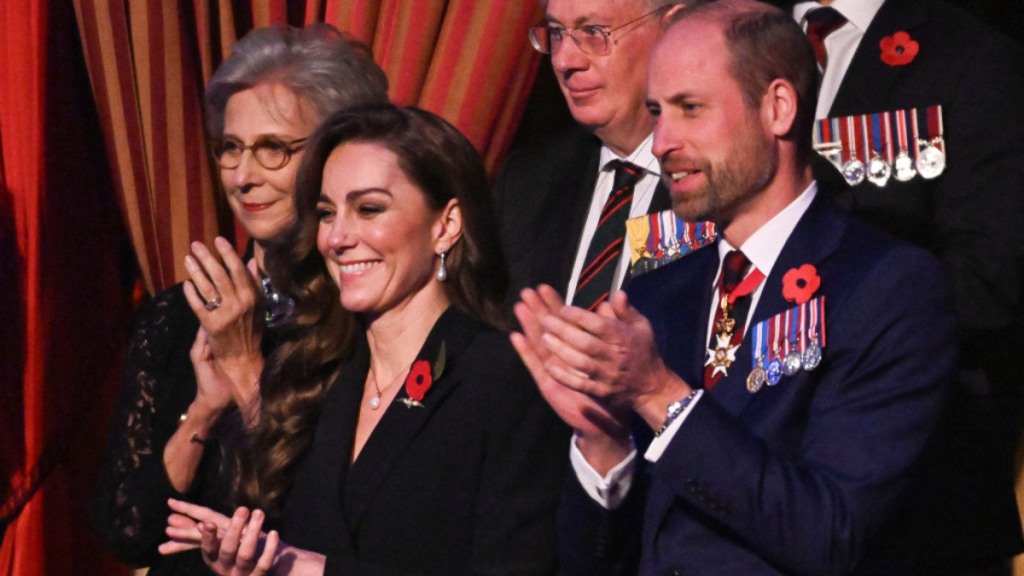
[(661, 238)]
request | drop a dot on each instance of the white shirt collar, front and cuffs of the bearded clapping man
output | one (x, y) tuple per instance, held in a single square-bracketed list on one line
[(762, 249)]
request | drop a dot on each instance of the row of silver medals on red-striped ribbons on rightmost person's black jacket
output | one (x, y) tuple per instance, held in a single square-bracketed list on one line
[(901, 144)]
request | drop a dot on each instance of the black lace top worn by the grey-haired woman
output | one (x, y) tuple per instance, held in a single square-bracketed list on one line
[(131, 507)]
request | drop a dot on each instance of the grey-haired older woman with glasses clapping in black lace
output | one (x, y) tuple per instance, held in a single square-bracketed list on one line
[(195, 359)]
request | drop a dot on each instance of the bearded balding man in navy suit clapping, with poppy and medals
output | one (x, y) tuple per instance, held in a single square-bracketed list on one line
[(756, 467)]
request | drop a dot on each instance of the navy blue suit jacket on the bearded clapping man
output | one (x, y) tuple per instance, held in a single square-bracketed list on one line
[(806, 477)]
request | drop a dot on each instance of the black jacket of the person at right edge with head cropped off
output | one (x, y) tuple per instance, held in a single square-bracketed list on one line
[(972, 218)]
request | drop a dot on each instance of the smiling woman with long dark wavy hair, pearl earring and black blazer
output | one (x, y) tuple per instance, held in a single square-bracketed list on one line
[(400, 433)]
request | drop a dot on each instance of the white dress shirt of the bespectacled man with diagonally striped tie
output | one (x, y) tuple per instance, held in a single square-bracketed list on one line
[(644, 192)]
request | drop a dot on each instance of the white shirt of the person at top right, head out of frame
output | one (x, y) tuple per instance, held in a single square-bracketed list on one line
[(841, 45)]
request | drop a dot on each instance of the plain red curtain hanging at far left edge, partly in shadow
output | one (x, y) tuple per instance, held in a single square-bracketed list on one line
[(64, 308)]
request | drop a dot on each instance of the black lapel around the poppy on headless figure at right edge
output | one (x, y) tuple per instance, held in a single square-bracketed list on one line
[(858, 97)]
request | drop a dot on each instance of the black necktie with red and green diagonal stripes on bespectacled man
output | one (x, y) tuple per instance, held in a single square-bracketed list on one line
[(606, 249)]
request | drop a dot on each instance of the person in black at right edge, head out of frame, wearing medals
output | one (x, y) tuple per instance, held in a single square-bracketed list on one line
[(880, 58)]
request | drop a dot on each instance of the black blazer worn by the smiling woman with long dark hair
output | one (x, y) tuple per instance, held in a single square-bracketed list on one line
[(468, 484)]
